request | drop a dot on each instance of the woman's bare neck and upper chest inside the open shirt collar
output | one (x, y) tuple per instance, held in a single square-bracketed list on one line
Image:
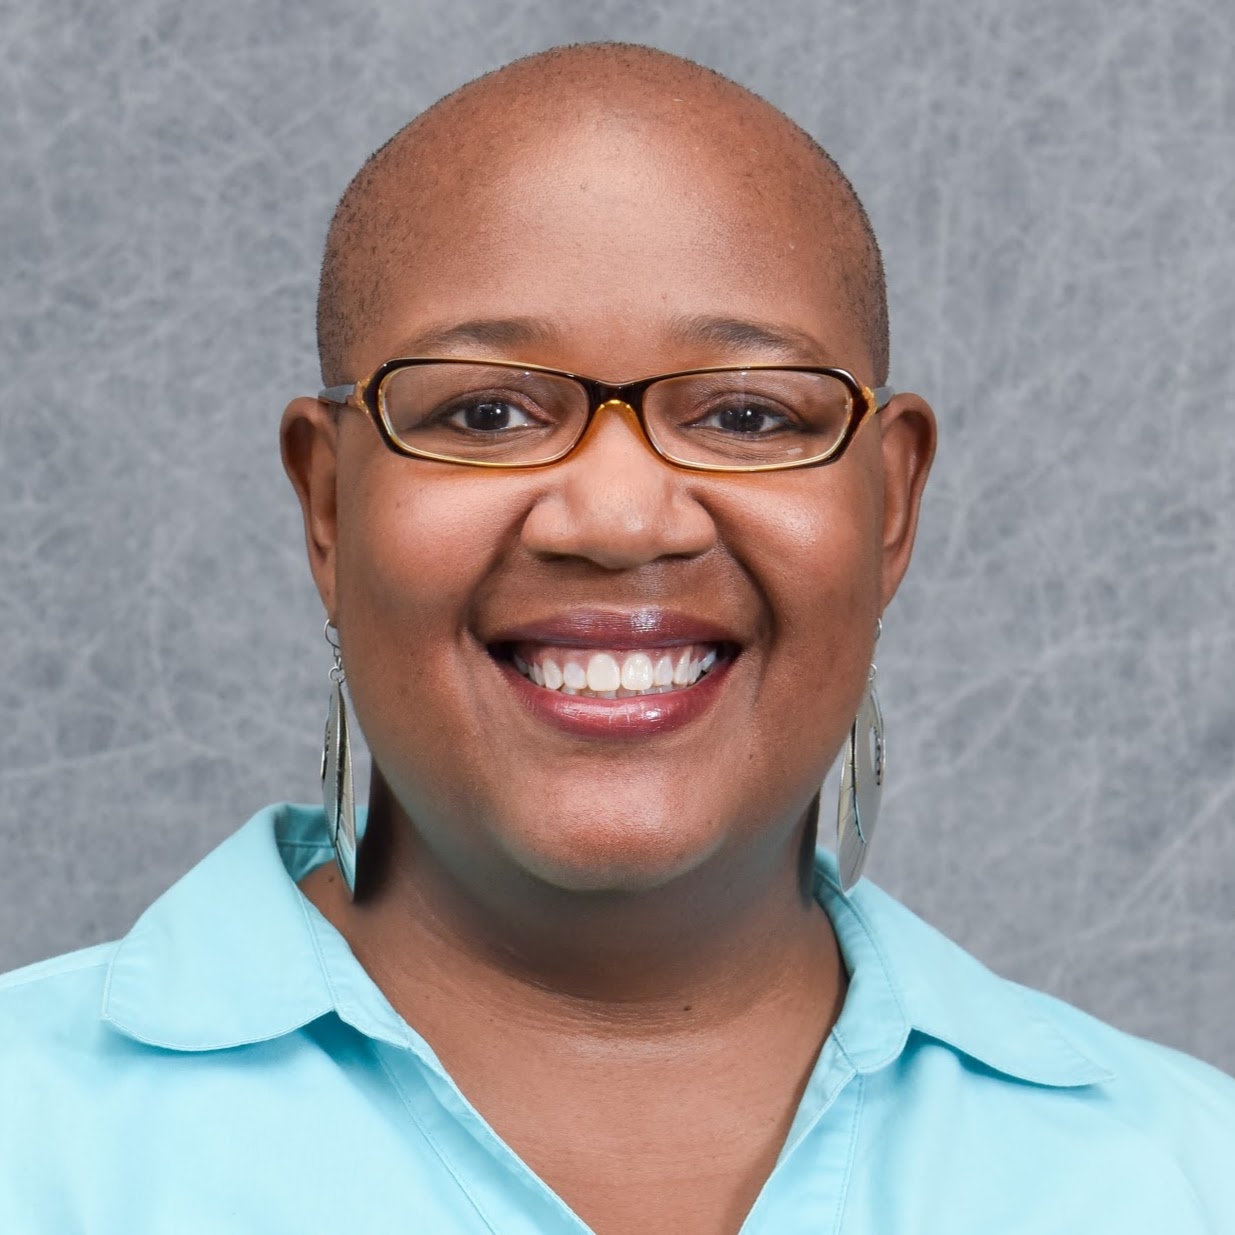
[(671, 1032)]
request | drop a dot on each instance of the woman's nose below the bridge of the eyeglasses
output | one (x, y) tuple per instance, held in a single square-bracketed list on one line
[(614, 502)]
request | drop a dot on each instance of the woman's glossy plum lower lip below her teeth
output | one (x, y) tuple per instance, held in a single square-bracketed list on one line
[(635, 717)]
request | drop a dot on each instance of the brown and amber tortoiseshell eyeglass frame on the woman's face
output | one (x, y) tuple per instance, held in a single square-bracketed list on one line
[(367, 396)]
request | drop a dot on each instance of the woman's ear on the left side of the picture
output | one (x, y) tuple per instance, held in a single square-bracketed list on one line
[(309, 438)]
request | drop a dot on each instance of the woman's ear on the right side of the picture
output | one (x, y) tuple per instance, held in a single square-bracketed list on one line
[(908, 444)]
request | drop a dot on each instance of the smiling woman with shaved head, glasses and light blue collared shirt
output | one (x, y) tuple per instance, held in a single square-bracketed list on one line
[(605, 637)]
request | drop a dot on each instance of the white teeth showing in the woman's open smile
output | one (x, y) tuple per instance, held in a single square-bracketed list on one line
[(608, 674)]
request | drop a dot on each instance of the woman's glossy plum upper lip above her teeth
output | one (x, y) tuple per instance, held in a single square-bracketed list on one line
[(645, 627)]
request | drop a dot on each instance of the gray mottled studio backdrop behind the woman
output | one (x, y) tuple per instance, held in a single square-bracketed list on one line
[(1054, 182)]
